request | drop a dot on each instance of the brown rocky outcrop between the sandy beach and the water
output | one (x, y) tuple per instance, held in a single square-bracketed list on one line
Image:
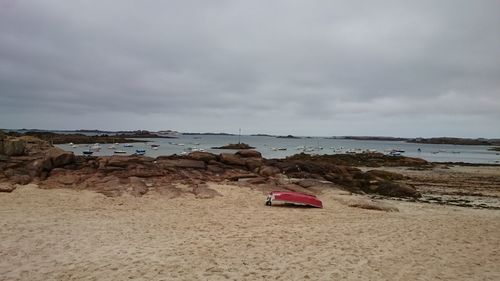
[(31, 160)]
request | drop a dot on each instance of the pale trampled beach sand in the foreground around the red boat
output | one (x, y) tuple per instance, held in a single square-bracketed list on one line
[(71, 235)]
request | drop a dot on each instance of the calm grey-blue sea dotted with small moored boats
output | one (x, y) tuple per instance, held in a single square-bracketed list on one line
[(314, 145)]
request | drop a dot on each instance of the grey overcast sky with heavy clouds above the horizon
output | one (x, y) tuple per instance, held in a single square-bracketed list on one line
[(400, 68)]
